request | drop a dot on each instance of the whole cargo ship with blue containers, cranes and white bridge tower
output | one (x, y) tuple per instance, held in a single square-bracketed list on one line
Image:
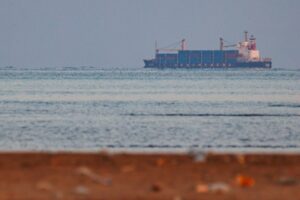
[(244, 55)]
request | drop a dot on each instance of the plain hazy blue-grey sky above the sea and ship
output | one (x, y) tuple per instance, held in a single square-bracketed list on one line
[(120, 33)]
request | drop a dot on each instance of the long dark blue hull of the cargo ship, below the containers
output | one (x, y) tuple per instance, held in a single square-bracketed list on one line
[(258, 64)]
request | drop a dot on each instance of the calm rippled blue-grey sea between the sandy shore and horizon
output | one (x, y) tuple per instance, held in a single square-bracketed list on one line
[(93, 109)]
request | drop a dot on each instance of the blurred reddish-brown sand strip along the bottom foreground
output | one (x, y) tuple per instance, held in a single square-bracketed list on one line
[(148, 176)]
